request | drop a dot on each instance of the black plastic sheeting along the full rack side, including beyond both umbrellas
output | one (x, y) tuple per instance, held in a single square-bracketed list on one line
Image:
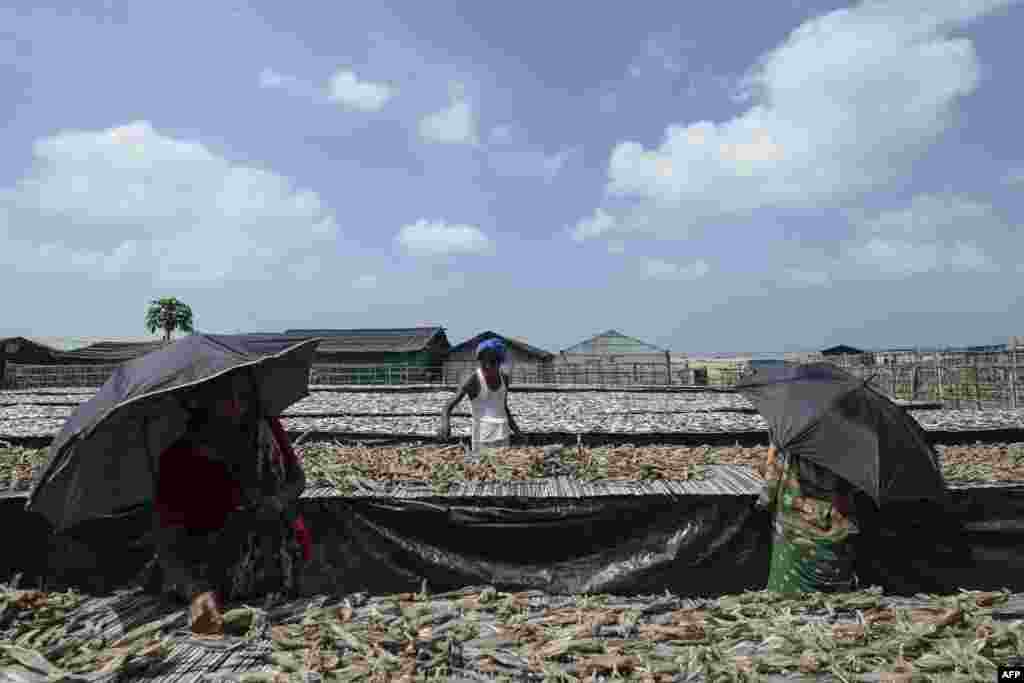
[(692, 545)]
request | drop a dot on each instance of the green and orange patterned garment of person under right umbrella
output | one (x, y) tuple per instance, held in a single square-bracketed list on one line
[(814, 530)]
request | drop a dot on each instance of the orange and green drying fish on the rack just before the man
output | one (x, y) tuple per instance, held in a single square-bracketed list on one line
[(345, 467)]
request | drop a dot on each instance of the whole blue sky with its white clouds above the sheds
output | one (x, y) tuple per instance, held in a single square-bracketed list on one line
[(732, 177)]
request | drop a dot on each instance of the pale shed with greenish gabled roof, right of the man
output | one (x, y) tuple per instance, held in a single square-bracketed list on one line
[(612, 358)]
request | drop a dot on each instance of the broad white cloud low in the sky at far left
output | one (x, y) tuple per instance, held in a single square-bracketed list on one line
[(131, 200)]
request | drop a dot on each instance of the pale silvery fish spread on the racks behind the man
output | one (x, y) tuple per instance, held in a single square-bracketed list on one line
[(40, 414)]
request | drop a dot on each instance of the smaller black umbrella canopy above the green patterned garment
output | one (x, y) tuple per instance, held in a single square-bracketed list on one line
[(830, 417)]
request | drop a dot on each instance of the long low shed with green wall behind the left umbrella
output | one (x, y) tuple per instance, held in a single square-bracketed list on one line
[(379, 356)]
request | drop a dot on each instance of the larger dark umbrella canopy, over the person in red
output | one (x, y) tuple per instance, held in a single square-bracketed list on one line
[(106, 457)]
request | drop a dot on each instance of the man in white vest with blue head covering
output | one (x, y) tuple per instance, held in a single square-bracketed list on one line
[(488, 392)]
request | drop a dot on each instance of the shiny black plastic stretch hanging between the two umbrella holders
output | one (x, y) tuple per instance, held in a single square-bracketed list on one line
[(696, 546)]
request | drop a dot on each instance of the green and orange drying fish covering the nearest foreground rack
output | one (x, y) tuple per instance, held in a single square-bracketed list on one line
[(483, 634)]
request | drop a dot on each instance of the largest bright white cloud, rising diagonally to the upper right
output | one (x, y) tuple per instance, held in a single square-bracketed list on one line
[(842, 106)]
